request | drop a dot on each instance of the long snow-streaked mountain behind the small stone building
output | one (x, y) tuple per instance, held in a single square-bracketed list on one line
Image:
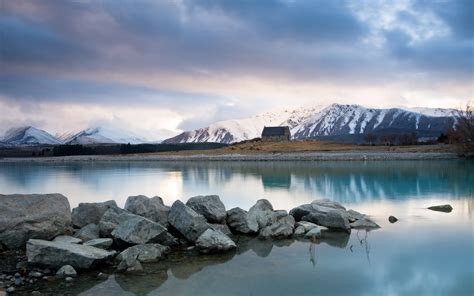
[(335, 120)]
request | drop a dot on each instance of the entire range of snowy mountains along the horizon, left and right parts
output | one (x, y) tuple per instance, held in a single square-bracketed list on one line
[(349, 123)]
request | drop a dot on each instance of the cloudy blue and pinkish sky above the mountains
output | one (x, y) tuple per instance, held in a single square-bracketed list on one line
[(160, 67)]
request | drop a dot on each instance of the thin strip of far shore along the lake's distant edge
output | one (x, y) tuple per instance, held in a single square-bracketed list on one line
[(295, 156)]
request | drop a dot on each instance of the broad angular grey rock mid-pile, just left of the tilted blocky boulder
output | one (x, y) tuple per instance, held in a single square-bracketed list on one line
[(137, 230)]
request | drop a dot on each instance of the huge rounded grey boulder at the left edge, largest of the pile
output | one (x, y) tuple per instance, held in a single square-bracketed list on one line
[(41, 216)]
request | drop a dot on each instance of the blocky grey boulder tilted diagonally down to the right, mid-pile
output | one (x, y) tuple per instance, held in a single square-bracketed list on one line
[(189, 223)]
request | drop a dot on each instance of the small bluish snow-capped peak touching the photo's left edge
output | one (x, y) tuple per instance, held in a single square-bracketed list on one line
[(28, 135)]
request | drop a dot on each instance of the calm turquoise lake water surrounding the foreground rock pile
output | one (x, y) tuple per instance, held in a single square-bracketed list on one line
[(424, 253)]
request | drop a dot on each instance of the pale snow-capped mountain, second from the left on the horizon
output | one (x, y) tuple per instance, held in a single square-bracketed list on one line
[(100, 135)]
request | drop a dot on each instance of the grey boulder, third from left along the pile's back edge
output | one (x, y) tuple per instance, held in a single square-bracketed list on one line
[(150, 208)]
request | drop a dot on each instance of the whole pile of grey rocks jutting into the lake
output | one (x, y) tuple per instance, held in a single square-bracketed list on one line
[(49, 241)]
